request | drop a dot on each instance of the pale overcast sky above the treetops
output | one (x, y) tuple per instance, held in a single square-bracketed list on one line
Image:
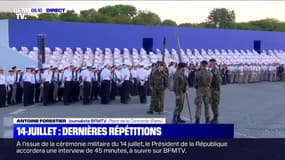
[(179, 11)]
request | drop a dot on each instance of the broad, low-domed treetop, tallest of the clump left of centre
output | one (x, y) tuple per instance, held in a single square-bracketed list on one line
[(119, 10)]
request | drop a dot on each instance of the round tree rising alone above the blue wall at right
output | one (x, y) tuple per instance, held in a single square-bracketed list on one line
[(222, 18)]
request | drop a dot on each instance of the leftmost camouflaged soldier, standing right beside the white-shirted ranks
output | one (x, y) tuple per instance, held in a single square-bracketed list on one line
[(158, 84)]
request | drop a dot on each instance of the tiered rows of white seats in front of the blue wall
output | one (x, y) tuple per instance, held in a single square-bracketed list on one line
[(99, 57)]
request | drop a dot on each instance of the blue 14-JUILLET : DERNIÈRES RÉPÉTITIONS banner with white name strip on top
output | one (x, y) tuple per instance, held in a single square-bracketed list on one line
[(114, 128)]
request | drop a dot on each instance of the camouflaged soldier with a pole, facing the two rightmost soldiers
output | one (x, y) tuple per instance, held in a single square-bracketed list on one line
[(180, 88)]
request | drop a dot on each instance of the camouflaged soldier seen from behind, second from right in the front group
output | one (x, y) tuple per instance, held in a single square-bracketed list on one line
[(203, 80)]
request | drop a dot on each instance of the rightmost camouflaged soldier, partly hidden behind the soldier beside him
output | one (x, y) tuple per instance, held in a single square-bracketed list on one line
[(215, 90)]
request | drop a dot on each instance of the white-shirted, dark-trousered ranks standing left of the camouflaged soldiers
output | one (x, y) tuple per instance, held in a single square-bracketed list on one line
[(69, 84)]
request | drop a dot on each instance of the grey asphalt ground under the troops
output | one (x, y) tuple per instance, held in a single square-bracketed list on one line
[(256, 110)]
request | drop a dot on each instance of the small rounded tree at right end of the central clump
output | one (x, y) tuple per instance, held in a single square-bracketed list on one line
[(147, 18)]
